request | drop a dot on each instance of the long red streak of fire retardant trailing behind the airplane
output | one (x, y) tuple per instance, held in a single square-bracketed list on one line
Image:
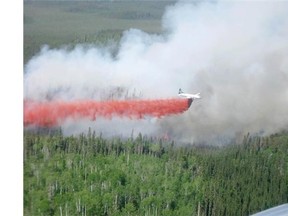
[(53, 113)]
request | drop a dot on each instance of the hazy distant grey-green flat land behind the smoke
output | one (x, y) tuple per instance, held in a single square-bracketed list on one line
[(59, 23)]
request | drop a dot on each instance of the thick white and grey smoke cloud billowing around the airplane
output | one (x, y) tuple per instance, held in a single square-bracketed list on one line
[(234, 53)]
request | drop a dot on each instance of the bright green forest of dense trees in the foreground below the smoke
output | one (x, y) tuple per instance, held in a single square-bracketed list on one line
[(90, 175)]
